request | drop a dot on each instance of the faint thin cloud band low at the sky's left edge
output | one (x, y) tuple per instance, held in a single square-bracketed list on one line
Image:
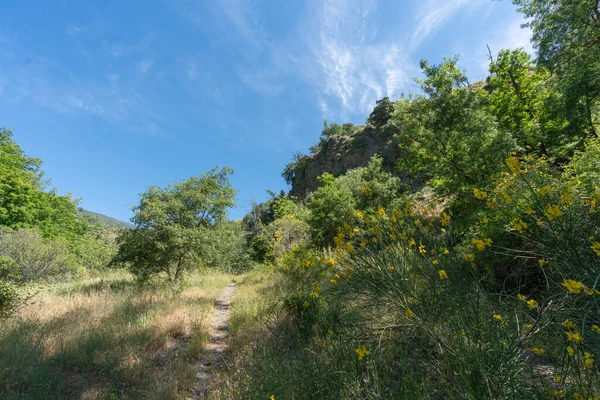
[(49, 83)]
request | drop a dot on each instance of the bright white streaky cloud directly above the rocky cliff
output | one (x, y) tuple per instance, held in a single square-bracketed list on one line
[(352, 67)]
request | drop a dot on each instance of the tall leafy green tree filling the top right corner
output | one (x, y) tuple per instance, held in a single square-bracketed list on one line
[(565, 34)]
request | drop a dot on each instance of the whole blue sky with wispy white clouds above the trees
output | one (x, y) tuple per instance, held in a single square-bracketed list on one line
[(115, 96)]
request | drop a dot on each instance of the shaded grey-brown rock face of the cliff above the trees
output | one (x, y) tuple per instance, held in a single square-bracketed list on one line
[(340, 154)]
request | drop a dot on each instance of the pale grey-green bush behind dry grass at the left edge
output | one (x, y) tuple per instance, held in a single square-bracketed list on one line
[(39, 259)]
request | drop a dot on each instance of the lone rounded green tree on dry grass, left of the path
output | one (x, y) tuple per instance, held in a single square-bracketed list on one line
[(174, 225)]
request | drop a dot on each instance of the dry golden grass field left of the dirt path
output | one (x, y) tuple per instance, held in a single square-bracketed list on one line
[(108, 338)]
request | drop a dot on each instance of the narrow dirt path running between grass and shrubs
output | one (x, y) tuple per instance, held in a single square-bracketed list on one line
[(213, 355)]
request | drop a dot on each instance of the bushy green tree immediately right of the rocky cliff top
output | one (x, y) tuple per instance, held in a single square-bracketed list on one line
[(448, 133)]
